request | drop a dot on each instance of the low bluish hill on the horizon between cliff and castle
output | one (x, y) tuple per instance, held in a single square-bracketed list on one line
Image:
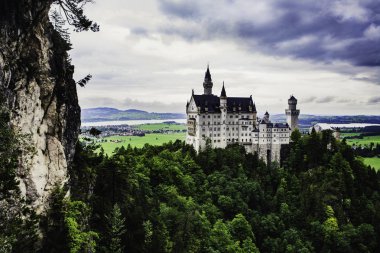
[(106, 114)]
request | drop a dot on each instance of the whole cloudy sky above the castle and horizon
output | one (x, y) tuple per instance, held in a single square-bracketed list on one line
[(150, 54)]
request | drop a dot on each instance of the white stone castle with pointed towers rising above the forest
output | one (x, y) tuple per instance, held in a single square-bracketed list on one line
[(226, 120)]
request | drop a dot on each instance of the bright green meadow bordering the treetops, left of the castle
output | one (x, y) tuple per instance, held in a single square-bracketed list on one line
[(136, 141)]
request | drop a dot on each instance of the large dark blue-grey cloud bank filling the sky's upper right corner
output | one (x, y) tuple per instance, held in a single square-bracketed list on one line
[(326, 30)]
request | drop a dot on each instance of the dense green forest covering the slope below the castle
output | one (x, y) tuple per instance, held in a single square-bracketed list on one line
[(170, 199)]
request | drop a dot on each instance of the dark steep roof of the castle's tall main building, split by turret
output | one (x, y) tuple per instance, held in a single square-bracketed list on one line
[(234, 104)]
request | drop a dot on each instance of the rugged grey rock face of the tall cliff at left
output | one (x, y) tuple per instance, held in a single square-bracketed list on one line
[(36, 78)]
